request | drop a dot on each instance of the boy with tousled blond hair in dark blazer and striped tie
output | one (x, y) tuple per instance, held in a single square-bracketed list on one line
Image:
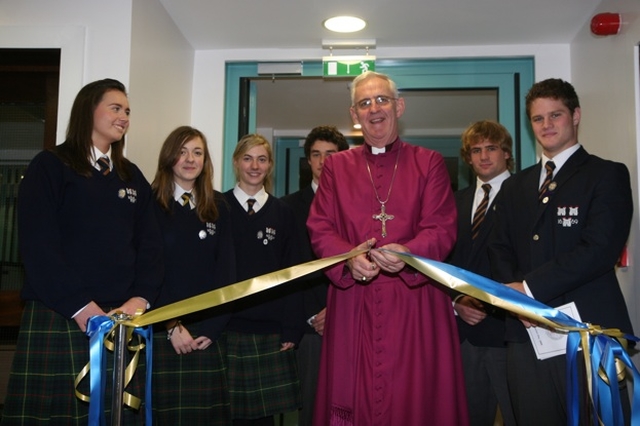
[(487, 148)]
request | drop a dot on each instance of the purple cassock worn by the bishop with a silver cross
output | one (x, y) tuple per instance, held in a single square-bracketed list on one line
[(390, 354)]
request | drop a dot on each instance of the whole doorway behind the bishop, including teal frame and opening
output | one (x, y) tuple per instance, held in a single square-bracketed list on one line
[(493, 88)]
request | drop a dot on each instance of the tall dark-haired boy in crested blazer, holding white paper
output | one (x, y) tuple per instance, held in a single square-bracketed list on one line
[(558, 239)]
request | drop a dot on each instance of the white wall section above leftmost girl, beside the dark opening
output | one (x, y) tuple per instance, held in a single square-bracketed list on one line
[(95, 40)]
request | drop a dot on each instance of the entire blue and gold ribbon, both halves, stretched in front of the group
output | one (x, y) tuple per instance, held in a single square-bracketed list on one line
[(601, 347)]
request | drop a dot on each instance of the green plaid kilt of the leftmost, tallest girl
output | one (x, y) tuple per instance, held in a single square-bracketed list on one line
[(50, 353)]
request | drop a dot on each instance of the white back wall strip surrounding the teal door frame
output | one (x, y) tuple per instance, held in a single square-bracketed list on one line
[(209, 79)]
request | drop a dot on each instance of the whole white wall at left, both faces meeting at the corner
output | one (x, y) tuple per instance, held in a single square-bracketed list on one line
[(134, 42)]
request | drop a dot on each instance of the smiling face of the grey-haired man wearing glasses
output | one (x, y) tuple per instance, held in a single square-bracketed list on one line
[(379, 122)]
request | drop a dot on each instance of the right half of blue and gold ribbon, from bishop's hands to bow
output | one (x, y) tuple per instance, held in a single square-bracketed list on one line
[(602, 349)]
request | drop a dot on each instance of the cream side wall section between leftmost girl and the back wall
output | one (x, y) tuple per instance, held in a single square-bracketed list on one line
[(161, 83)]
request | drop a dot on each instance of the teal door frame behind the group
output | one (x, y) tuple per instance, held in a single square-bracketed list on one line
[(511, 77)]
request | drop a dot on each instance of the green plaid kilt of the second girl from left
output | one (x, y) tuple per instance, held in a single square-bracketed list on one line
[(189, 389)]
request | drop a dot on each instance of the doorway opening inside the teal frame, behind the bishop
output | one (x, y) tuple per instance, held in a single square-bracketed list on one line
[(433, 119)]
